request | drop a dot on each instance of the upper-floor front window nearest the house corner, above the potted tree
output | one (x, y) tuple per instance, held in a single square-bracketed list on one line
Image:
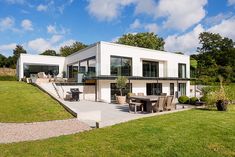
[(121, 66)]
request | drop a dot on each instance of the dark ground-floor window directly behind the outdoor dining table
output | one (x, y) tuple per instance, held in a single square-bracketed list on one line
[(154, 88)]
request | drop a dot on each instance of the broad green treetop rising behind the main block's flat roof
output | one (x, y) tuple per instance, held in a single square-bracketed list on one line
[(145, 40)]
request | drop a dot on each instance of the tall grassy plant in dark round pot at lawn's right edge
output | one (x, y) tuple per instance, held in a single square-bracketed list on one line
[(222, 100)]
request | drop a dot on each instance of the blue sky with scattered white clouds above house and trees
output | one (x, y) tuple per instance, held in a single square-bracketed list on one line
[(48, 24)]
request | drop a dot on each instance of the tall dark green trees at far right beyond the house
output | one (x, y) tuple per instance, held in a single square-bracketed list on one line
[(216, 57)]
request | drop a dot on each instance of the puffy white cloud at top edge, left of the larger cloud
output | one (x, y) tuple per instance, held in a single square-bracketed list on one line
[(107, 10)]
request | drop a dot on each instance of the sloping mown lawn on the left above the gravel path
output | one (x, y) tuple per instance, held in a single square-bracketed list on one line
[(21, 102)]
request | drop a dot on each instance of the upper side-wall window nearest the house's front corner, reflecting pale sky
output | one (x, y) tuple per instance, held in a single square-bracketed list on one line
[(87, 66)]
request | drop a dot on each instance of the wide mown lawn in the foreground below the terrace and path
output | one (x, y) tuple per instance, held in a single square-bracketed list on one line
[(188, 133)]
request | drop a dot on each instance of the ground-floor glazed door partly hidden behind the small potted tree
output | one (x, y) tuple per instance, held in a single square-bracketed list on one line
[(115, 91)]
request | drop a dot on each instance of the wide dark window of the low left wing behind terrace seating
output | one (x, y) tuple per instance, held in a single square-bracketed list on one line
[(34, 69)]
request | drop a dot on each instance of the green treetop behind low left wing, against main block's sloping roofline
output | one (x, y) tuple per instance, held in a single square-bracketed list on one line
[(68, 50)]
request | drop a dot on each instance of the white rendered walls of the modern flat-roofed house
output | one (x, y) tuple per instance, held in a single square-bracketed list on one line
[(102, 52)]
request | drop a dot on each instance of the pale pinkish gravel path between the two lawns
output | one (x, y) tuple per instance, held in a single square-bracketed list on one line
[(16, 132)]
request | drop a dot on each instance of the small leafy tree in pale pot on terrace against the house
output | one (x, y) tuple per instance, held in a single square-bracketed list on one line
[(121, 85)]
